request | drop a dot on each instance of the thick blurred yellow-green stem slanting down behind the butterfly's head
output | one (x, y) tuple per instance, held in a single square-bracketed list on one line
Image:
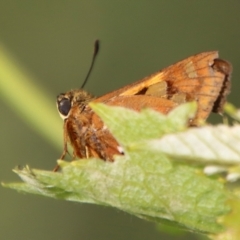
[(19, 90)]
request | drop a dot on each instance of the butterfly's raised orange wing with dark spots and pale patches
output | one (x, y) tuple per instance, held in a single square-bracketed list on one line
[(193, 79)]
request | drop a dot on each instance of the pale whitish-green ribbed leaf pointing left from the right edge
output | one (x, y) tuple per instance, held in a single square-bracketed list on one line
[(208, 144)]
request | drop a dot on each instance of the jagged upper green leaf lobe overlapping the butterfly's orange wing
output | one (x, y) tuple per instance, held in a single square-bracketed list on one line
[(129, 126)]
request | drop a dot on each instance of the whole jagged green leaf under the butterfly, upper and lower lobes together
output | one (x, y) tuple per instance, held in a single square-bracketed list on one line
[(144, 182)]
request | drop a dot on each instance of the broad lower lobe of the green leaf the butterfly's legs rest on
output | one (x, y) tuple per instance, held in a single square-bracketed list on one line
[(158, 191)]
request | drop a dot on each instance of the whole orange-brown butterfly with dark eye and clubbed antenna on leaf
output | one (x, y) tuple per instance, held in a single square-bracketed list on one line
[(203, 78)]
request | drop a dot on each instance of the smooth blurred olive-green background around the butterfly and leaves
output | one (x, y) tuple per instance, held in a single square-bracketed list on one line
[(53, 42)]
